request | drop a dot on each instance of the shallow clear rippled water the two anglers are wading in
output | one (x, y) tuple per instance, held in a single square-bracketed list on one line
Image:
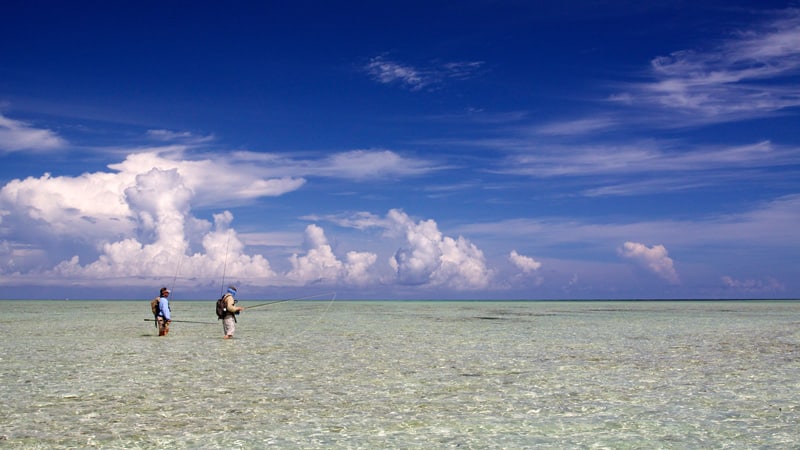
[(403, 375)]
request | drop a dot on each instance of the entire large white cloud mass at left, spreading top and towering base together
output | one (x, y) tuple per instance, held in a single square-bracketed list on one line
[(138, 219)]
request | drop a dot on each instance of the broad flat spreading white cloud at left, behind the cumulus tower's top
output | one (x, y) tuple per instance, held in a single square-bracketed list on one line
[(106, 204)]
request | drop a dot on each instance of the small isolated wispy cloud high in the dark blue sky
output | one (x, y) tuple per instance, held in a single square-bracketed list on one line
[(386, 71)]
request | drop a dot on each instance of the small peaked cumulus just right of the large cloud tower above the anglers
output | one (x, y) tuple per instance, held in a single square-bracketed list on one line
[(320, 264)]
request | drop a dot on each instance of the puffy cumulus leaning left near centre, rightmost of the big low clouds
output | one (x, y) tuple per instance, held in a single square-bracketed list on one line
[(434, 259)]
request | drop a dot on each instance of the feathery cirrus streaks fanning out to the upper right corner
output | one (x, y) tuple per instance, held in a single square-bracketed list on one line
[(733, 80)]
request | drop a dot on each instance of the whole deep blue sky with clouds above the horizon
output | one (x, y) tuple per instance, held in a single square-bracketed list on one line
[(480, 149)]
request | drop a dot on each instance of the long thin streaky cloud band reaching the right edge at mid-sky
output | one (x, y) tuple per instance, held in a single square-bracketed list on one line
[(651, 166)]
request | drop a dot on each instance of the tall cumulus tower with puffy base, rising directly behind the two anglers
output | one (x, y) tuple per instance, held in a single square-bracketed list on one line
[(167, 253)]
